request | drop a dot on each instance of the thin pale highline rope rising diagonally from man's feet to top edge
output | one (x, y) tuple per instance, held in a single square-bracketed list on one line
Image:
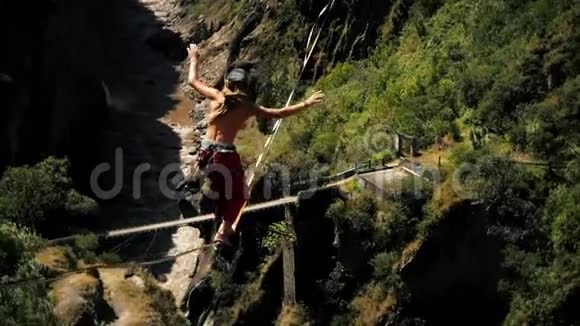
[(310, 45)]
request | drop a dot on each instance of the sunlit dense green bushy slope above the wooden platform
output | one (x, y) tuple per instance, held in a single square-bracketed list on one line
[(493, 68)]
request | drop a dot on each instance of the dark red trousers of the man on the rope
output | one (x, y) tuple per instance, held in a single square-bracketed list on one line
[(228, 185)]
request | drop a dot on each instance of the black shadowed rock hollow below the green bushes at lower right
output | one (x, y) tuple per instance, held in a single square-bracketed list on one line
[(454, 273)]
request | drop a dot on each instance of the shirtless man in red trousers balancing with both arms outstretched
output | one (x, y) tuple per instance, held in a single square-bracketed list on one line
[(230, 108)]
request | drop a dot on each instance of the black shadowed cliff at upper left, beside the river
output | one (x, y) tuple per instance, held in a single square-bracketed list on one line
[(52, 65)]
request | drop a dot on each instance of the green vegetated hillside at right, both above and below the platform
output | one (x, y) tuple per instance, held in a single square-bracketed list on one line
[(487, 83)]
